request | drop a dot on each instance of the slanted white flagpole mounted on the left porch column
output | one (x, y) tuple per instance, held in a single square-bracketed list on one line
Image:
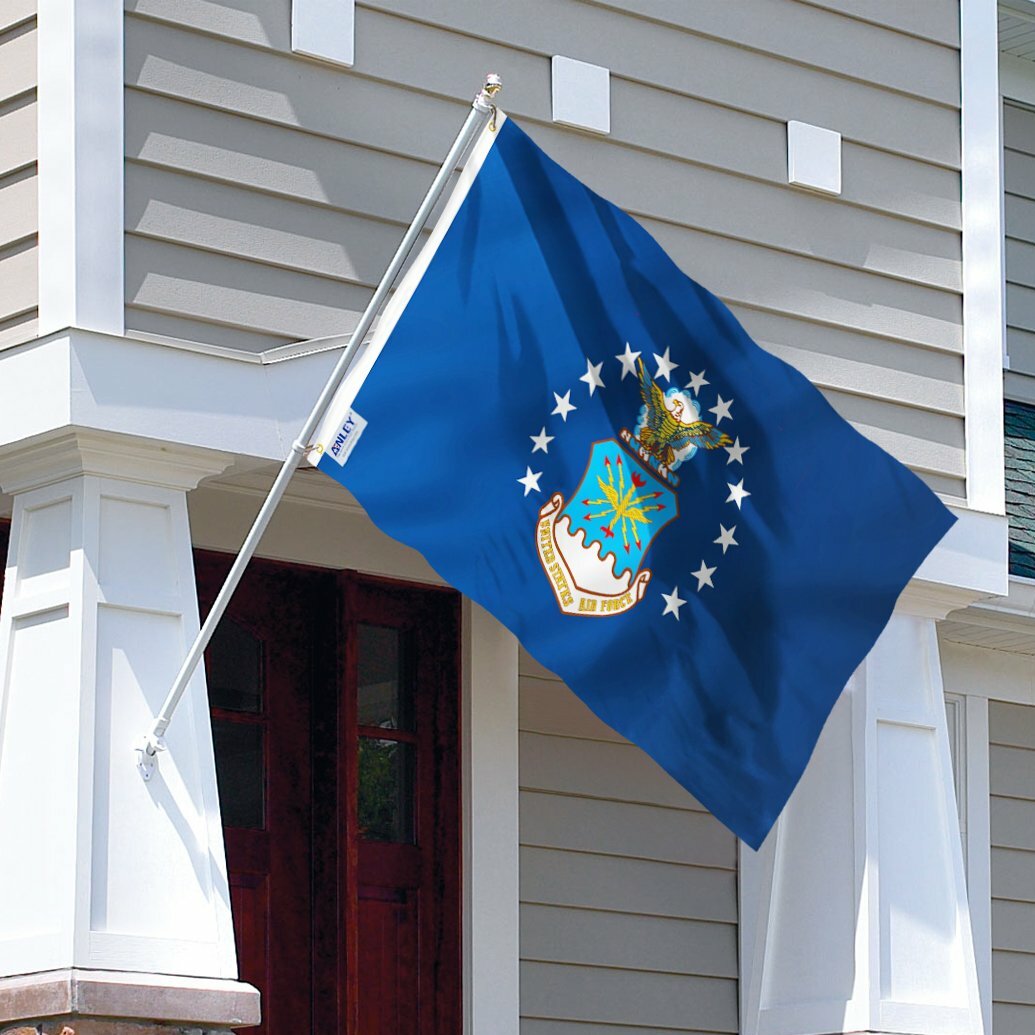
[(482, 110)]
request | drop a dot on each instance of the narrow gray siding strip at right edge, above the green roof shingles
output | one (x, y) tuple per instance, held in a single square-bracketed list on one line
[(1019, 184)]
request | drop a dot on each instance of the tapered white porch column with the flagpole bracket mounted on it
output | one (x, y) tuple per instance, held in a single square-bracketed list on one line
[(99, 870)]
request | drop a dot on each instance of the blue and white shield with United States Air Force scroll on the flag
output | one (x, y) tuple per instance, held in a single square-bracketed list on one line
[(593, 548)]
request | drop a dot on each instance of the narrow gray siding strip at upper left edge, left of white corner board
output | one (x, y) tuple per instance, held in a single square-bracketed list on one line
[(19, 210)]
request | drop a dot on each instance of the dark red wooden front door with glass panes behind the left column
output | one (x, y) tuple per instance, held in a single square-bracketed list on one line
[(335, 718)]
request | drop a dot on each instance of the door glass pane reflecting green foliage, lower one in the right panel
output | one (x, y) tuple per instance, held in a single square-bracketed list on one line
[(386, 791)]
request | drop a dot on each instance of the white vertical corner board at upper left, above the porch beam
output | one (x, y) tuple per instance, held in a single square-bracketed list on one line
[(80, 71)]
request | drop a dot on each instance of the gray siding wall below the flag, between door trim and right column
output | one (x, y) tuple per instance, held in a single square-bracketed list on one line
[(629, 911)]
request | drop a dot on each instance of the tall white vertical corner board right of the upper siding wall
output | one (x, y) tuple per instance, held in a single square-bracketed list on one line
[(985, 321)]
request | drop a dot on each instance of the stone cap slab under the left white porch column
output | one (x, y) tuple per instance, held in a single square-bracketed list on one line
[(82, 1002)]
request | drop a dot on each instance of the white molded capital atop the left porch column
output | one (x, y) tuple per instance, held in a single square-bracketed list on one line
[(78, 452)]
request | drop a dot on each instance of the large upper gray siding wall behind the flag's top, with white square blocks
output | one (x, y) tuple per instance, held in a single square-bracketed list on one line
[(265, 192)]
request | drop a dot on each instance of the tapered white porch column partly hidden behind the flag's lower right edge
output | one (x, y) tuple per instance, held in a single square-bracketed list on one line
[(854, 912)]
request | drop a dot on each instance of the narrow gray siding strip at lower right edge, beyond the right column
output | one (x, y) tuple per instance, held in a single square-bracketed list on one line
[(1013, 784)]
